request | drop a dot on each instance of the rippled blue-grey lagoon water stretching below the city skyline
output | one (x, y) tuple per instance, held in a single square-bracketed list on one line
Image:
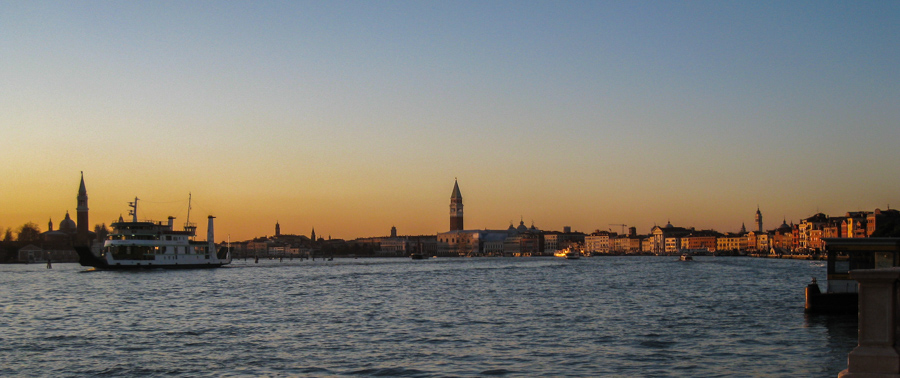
[(600, 316)]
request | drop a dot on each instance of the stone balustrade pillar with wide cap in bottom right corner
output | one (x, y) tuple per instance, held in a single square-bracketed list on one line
[(877, 353)]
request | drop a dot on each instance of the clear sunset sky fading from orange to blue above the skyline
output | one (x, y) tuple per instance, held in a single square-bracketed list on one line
[(351, 117)]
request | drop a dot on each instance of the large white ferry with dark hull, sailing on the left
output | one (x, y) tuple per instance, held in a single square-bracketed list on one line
[(150, 244)]
